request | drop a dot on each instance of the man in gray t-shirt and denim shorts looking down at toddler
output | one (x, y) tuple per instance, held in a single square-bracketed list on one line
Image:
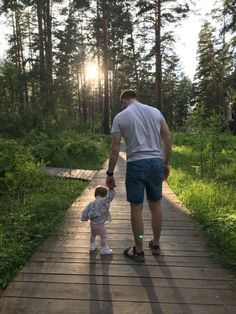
[(143, 129)]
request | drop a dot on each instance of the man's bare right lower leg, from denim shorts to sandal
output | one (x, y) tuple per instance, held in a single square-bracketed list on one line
[(157, 220)]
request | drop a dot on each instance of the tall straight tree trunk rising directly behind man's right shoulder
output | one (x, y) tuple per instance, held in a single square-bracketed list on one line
[(158, 76)]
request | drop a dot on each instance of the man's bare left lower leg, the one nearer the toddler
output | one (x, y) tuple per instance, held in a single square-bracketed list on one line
[(137, 225)]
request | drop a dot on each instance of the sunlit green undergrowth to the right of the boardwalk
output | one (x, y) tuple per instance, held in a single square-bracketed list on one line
[(211, 197)]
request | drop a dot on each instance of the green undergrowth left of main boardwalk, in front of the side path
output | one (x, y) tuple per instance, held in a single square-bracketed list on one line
[(31, 205)]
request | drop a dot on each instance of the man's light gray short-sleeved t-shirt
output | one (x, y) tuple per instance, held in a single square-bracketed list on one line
[(140, 126)]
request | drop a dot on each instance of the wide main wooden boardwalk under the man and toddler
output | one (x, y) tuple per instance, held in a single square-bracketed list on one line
[(63, 278)]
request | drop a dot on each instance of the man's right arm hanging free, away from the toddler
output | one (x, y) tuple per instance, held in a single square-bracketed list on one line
[(167, 145)]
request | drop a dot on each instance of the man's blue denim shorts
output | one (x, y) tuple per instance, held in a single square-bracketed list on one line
[(144, 174)]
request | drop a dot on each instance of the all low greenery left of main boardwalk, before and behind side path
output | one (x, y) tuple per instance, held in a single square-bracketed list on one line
[(31, 202)]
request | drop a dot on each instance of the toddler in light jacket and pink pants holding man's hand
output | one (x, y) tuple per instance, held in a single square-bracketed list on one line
[(98, 214)]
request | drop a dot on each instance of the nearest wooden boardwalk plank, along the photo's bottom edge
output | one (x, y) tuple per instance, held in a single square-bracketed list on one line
[(21, 305)]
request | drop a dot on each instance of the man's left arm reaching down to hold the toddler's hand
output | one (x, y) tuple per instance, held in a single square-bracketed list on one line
[(116, 139)]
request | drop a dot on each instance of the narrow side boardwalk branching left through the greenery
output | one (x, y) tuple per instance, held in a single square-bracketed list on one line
[(86, 175)]
